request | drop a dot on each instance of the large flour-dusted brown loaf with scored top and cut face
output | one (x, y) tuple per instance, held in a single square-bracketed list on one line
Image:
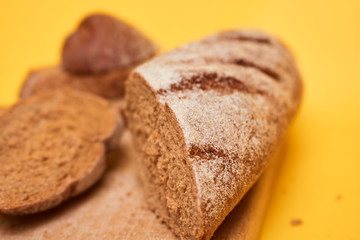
[(207, 117)]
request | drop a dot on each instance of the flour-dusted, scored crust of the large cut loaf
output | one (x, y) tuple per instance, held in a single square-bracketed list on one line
[(233, 95)]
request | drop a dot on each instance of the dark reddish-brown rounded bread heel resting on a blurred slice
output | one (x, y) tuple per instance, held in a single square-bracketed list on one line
[(103, 43)]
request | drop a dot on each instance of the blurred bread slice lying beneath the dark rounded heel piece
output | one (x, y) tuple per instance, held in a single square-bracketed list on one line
[(108, 85)]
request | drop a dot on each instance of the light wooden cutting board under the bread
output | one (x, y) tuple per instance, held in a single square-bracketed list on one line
[(115, 209)]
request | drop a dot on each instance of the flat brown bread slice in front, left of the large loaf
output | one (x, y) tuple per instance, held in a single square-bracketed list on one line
[(52, 147)]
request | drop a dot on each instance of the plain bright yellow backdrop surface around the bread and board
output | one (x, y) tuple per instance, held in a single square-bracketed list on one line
[(319, 182)]
